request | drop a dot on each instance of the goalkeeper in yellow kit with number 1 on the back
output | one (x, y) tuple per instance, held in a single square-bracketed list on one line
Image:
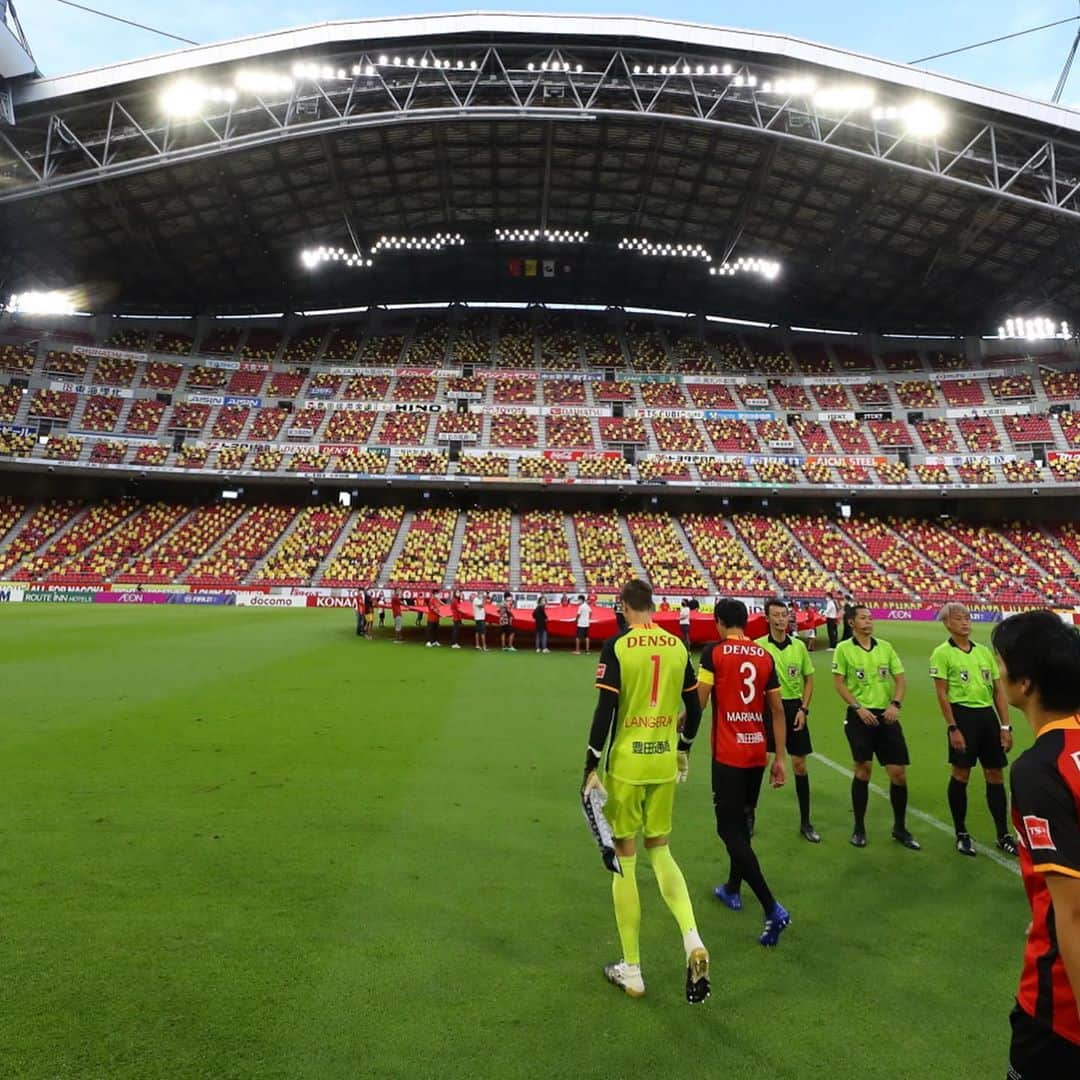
[(645, 681)]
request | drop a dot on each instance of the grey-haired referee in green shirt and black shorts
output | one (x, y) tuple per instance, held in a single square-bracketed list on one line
[(974, 705)]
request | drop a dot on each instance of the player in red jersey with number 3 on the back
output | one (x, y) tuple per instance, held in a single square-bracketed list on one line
[(740, 679)]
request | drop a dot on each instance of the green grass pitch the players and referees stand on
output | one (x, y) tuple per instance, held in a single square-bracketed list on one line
[(248, 845)]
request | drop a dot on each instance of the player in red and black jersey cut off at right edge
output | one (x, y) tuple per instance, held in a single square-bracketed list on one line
[(1041, 672)]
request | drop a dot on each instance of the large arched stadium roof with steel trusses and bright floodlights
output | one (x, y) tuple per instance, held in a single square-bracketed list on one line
[(894, 199)]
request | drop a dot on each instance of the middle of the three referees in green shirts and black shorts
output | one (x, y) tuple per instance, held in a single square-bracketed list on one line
[(870, 679)]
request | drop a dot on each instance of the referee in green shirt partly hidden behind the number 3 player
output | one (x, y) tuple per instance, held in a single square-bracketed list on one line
[(795, 674)]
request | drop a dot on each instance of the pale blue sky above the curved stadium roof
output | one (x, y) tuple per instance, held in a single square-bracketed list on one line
[(64, 39)]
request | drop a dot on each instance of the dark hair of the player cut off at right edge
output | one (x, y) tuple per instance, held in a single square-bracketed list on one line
[(1038, 646)]
